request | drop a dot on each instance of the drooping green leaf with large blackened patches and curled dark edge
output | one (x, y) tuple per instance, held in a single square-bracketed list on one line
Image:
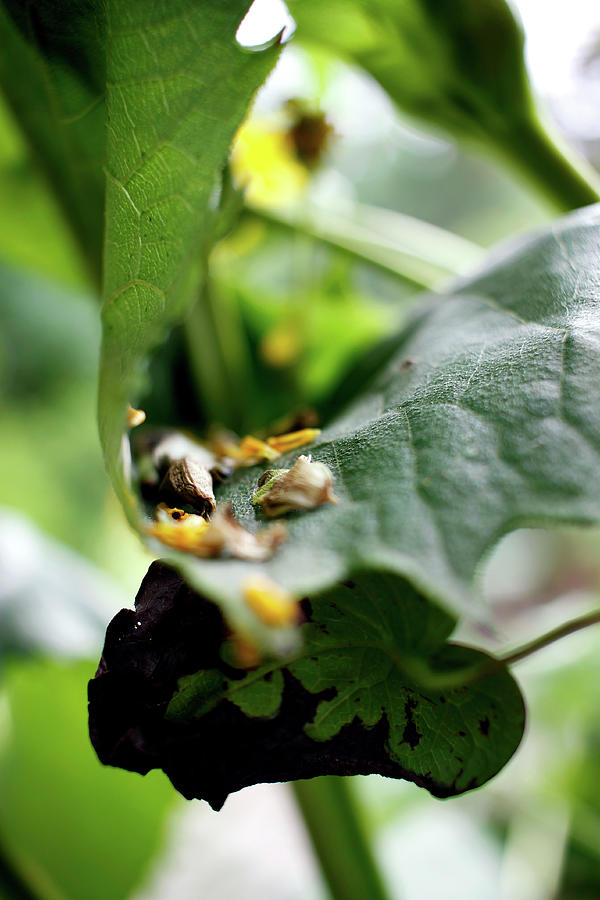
[(353, 700)]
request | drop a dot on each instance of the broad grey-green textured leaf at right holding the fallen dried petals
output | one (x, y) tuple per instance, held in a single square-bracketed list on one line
[(483, 420)]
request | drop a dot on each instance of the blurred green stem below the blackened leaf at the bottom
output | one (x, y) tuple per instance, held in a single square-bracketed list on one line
[(332, 818)]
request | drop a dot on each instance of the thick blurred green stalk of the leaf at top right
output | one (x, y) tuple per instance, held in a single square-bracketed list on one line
[(567, 181)]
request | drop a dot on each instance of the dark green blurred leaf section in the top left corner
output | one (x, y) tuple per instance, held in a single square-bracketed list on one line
[(52, 72)]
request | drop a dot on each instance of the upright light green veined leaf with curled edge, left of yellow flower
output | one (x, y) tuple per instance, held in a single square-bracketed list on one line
[(178, 86)]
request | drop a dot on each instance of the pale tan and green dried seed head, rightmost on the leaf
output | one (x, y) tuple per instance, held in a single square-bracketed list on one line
[(305, 486)]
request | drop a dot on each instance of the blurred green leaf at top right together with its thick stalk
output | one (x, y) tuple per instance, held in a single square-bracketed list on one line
[(457, 64)]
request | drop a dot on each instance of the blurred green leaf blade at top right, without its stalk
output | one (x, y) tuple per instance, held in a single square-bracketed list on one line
[(456, 63)]
